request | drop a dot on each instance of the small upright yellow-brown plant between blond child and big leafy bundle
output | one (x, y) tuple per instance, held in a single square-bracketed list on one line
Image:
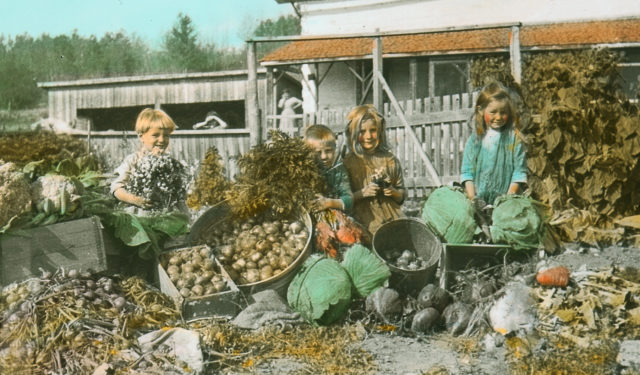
[(211, 184)]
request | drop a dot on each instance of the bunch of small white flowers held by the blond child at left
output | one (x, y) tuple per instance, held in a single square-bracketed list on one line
[(160, 179)]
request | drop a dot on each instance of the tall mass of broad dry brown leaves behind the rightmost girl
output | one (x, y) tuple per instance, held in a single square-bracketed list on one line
[(584, 141)]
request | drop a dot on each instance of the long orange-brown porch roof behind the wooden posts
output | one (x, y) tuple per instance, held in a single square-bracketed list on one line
[(487, 39)]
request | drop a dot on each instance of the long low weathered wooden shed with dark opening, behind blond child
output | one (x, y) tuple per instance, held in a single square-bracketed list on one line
[(104, 111)]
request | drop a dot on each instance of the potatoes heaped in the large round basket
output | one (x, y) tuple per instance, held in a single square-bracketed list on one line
[(258, 248)]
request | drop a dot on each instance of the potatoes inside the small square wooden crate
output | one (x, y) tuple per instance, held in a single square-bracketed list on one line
[(194, 271)]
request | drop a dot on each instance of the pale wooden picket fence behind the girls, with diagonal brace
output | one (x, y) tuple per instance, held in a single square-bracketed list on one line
[(440, 124)]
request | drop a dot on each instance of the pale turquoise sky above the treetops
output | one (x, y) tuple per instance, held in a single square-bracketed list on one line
[(223, 22)]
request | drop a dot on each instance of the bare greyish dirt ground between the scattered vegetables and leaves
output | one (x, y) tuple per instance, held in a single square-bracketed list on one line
[(440, 353)]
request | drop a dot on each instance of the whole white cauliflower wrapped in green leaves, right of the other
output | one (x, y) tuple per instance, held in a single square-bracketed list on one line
[(56, 194)]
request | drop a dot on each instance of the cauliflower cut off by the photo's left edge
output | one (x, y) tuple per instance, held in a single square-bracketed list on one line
[(15, 193)]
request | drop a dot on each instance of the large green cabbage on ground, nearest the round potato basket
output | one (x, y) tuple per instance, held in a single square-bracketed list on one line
[(321, 291)]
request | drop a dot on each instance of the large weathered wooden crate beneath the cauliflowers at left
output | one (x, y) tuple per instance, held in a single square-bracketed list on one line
[(76, 244)]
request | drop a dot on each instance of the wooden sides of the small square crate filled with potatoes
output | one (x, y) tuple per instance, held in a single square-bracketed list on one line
[(225, 304)]
